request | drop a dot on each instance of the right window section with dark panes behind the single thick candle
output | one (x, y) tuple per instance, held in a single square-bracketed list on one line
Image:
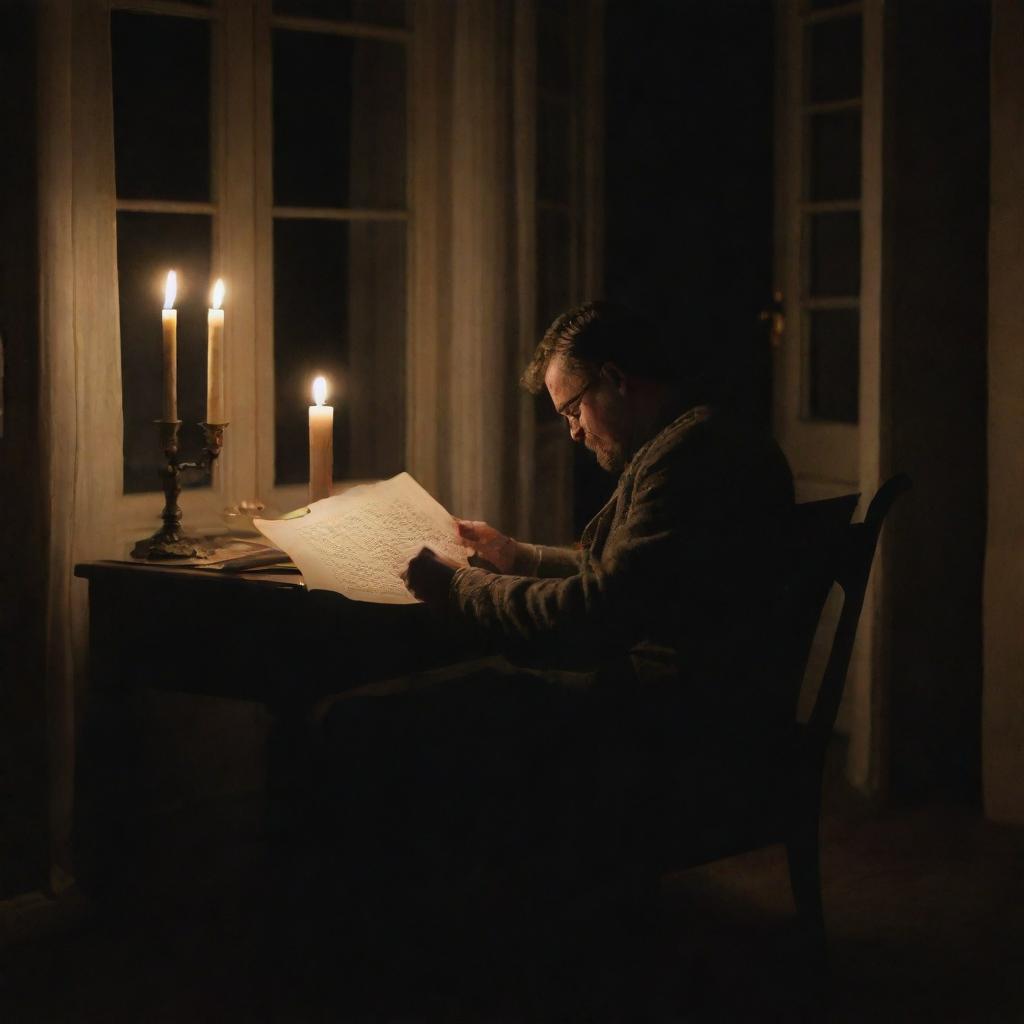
[(339, 240)]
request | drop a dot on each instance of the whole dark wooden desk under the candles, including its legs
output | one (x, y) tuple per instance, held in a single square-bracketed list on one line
[(255, 638)]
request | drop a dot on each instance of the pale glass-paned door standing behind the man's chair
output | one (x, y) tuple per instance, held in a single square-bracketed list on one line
[(828, 266)]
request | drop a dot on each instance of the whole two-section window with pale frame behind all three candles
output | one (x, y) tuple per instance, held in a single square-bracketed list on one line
[(265, 144)]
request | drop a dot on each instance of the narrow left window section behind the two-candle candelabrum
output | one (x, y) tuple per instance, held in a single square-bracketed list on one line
[(161, 76)]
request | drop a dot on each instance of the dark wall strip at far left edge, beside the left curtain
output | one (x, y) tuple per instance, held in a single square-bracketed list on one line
[(23, 710)]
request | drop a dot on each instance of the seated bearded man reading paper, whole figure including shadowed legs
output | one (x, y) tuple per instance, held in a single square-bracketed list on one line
[(621, 665)]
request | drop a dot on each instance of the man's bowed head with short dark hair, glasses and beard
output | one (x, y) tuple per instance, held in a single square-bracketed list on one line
[(608, 375)]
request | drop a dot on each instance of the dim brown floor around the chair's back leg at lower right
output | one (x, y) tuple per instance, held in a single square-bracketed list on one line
[(925, 912)]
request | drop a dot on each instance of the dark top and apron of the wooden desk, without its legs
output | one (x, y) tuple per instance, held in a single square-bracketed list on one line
[(253, 637)]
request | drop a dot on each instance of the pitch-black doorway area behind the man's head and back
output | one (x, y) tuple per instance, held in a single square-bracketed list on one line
[(689, 179)]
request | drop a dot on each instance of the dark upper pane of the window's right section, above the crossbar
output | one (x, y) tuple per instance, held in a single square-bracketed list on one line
[(339, 121)]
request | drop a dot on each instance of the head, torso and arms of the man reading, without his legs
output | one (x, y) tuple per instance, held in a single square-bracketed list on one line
[(663, 590)]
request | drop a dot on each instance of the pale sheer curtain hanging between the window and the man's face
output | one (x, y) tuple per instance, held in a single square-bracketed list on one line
[(474, 296)]
